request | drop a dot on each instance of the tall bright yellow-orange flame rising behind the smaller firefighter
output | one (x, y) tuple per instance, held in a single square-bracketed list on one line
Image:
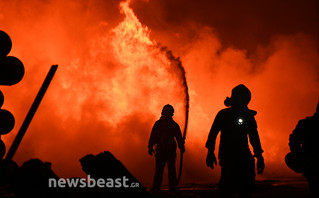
[(146, 69)]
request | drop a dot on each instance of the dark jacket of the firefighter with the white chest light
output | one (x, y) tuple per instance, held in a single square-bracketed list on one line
[(236, 125)]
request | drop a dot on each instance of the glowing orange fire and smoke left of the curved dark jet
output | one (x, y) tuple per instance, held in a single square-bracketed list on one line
[(111, 85)]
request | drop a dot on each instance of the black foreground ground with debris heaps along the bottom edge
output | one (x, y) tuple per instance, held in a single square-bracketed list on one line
[(31, 180)]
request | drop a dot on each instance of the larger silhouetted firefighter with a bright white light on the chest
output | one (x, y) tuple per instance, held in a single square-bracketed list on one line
[(237, 163)]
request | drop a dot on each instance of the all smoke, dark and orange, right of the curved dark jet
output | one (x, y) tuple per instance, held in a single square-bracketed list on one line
[(270, 46)]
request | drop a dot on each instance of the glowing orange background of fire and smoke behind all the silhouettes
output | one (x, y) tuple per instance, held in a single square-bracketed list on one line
[(113, 79)]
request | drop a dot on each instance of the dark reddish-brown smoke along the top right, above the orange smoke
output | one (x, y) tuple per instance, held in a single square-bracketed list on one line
[(244, 25)]
